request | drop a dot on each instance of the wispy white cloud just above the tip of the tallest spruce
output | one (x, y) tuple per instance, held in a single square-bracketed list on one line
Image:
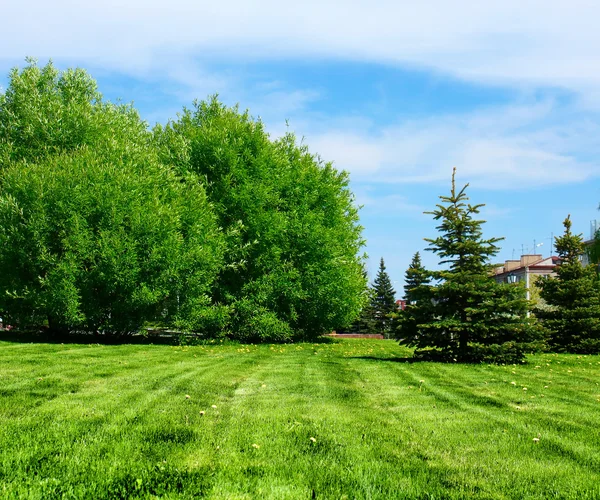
[(499, 148)]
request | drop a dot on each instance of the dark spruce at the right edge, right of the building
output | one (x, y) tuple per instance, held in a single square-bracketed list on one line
[(573, 320)]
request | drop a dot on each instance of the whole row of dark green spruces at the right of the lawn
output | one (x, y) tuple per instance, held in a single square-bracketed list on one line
[(460, 312)]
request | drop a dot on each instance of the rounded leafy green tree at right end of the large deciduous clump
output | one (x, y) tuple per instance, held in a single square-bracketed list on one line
[(293, 239)]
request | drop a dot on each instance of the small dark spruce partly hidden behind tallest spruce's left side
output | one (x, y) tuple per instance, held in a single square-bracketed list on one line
[(417, 295)]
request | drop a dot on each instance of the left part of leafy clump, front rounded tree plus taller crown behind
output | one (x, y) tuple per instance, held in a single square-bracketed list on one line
[(96, 234)]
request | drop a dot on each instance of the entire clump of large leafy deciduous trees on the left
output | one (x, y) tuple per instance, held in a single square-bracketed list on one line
[(205, 224)]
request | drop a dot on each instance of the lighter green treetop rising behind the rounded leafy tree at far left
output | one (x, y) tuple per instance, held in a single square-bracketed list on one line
[(45, 111)]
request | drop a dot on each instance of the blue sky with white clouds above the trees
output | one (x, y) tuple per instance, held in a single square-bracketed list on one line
[(397, 93)]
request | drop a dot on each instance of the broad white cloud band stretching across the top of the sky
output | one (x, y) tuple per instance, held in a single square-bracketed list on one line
[(541, 42)]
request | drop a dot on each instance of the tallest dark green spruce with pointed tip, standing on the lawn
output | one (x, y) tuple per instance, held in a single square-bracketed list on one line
[(471, 316)]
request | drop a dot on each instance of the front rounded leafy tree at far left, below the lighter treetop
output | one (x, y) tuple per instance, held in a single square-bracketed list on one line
[(100, 243)]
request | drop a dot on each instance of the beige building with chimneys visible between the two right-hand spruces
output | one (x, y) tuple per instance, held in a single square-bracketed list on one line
[(529, 268)]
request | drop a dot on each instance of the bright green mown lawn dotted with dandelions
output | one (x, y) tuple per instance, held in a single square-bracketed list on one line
[(91, 421)]
